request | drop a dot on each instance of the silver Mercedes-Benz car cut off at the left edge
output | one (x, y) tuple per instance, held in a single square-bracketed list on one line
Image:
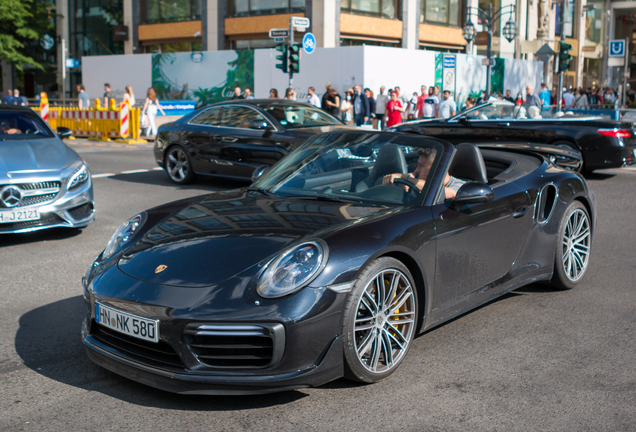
[(43, 182)]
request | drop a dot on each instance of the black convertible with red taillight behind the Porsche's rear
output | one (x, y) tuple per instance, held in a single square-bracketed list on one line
[(603, 143)]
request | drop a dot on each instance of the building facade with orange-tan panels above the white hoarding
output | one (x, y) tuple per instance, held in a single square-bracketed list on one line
[(101, 27)]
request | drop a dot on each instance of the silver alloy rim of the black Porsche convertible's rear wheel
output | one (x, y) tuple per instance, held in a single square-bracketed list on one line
[(576, 245)]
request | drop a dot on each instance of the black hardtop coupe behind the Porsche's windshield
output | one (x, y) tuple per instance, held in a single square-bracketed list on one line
[(237, 139)]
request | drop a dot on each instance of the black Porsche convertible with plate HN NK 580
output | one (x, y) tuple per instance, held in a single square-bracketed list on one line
[(330, 263)]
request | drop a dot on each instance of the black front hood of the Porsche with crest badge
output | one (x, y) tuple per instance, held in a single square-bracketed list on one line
[(221, 235)]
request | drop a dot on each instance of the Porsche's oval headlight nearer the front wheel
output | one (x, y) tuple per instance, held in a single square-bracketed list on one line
[(291, 270)]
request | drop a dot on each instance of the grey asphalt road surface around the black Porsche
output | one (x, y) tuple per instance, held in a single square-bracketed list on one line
[(535, 359)]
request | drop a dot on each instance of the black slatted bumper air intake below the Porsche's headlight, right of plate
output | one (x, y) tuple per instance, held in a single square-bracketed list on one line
[(236, 346)]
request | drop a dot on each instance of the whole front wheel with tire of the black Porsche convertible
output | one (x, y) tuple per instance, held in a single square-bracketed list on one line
[(379, 321)]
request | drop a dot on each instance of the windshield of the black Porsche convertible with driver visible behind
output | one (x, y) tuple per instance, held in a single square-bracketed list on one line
[(370, 168)]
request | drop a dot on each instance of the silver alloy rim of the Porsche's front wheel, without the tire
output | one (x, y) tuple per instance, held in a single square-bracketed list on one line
[(385, 321)]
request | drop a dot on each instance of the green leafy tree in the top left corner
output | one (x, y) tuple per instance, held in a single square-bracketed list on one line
[(22, 24)]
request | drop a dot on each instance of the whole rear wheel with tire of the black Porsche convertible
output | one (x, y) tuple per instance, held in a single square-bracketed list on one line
[(573, 247)]
